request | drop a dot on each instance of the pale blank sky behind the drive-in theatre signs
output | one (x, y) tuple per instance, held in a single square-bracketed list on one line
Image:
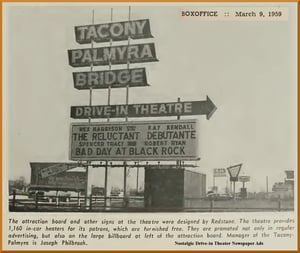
[(247, 68)]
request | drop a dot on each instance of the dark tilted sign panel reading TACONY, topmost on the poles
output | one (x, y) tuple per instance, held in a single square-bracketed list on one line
[(135, 29)]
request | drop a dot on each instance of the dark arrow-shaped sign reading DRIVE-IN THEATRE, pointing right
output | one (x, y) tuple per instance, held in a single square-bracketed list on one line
[(205, 107)]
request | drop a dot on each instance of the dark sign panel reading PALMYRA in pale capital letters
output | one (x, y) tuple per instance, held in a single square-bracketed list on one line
[(115, 55)]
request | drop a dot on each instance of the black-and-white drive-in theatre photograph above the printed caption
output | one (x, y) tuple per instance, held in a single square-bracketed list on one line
[(149, 109)]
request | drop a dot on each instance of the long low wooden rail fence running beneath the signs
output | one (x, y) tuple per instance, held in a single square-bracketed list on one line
[(56, 203)]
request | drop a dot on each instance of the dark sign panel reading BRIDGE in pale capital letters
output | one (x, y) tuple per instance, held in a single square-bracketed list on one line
[(119, 78)]
